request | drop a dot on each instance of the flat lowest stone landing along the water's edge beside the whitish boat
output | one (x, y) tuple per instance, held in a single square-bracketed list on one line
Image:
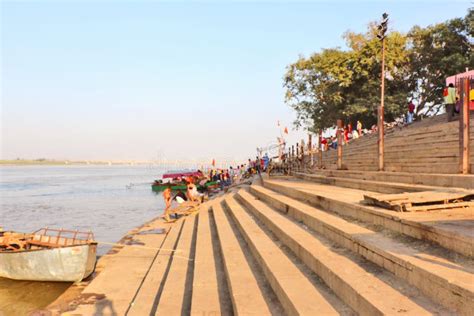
[(110, 290)]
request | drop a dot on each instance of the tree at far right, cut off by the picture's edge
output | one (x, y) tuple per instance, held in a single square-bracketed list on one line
[(437, 52)]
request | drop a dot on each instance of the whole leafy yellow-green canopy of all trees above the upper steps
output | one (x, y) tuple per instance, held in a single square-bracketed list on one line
[(345, 83)]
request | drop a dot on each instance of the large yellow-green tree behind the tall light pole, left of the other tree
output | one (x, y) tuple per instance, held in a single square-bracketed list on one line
[(345, 84)]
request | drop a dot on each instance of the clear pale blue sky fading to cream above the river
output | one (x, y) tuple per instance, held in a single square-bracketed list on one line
[(143, 80)]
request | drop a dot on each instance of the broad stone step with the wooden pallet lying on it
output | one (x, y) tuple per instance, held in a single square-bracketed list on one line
[(433, 226)]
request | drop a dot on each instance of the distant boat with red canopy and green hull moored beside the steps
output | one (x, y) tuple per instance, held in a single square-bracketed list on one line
[(177, 181)]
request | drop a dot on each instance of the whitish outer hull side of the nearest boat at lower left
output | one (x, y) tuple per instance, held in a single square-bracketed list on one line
[(63, 264)]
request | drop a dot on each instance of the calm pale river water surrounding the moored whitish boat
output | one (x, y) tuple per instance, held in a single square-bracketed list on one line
[(108, 200)]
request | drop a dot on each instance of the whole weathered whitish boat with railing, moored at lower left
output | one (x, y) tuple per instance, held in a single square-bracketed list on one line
[(47, 255)]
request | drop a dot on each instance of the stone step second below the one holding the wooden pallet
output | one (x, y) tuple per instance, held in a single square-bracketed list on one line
[(365, 292)]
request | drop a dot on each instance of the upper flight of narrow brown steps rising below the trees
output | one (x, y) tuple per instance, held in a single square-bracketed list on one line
[(428, 146)]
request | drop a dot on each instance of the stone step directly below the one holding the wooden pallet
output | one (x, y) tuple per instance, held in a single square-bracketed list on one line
[(443, 280)]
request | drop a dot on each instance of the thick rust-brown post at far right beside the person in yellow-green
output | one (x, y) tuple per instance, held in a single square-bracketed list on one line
[(464, 163)]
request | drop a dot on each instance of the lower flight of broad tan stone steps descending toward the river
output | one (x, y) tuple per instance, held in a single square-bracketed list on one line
[(304, 245)]
